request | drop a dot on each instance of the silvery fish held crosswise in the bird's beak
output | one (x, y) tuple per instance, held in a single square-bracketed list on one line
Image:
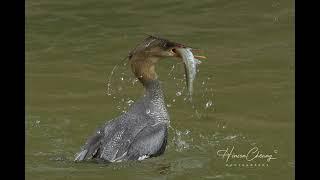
[(190, 67)]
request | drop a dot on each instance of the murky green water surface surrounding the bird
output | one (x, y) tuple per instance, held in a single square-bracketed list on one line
[(72, 46)]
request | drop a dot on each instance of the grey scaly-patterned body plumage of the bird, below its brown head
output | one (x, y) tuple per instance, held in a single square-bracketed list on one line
[(141, 132)]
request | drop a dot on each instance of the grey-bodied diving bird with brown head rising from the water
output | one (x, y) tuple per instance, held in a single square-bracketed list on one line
[(142, 131)]
